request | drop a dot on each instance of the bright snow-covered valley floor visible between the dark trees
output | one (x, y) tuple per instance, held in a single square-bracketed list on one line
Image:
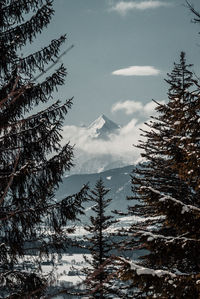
[(67, 268)]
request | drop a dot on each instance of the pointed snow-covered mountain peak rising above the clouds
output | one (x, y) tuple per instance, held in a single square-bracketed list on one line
[(102, 127)]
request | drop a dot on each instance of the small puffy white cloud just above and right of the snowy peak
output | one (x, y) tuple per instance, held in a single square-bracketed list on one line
[(131, 107)]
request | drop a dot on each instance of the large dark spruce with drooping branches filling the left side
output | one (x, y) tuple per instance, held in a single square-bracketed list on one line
[(32, 160)]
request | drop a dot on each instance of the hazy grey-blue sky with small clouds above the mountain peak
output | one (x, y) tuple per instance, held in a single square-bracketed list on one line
[(110, 37)]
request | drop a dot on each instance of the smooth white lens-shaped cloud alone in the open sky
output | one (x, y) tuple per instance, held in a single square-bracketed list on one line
[(137, 71)]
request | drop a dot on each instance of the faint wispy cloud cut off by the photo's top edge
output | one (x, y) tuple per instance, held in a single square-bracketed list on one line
[(123, 7)]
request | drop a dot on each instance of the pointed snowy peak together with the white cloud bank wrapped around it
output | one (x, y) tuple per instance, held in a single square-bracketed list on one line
[(98, 149)]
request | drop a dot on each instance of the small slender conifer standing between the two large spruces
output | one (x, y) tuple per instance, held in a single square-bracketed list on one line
[(101, 280)]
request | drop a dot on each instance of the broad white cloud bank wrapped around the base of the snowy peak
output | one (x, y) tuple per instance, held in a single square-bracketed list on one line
[(118, 146)]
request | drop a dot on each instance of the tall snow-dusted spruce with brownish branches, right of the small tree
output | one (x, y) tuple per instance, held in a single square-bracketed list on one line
[(169, 193)]
